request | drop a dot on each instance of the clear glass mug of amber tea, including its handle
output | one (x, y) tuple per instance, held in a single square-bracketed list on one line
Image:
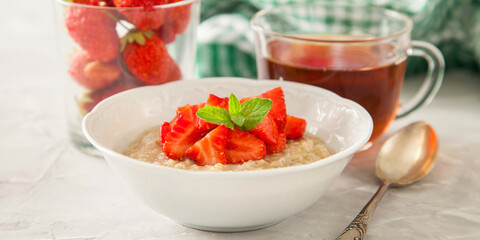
[(359, 52)]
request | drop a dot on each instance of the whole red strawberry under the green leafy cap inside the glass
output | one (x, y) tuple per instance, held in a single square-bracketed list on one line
[(149, 62)]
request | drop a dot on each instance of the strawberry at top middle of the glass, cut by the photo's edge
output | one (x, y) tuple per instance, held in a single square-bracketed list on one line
[(144, 18)]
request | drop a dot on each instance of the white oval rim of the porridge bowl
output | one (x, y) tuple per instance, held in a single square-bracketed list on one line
[(364, 116)]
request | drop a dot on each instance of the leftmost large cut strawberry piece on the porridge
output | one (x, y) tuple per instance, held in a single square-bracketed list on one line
[(182, 134)]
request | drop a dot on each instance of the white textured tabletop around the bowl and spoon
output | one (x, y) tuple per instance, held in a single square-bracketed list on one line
[(50, 190)]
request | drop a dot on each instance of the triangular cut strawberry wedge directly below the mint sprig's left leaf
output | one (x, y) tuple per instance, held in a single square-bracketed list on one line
[(210, 150)]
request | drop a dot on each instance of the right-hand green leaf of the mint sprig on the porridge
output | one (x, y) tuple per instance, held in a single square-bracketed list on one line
[(254, 111)]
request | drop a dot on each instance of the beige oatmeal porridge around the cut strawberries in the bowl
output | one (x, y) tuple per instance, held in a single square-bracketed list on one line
[(300, 151)]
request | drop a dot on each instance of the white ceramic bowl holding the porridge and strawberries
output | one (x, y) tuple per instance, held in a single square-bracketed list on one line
[(226, 201)]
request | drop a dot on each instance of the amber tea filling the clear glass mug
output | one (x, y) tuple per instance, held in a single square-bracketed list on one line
[(367, 74)]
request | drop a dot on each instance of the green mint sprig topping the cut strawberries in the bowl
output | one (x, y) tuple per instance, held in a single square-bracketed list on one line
[(244, 116)]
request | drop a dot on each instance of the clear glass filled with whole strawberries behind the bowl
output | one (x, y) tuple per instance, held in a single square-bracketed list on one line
[(109, 46)]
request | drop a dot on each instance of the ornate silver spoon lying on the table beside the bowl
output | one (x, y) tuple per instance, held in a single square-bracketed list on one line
[(405, 157)]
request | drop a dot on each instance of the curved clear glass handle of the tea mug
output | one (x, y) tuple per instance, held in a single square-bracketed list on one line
[(433, 80)]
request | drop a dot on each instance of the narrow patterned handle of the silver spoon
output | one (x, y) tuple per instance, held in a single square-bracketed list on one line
[(357, 229)]
